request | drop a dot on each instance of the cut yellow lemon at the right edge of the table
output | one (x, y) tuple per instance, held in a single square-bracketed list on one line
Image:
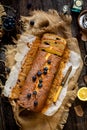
[(82, 94)]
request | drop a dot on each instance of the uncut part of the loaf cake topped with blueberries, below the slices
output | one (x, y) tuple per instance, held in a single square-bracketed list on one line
[(39, 64)]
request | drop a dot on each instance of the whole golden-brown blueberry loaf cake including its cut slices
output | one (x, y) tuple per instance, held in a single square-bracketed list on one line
[(35, 92)]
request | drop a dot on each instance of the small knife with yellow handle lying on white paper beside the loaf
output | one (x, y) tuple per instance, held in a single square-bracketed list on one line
[(62, 84)]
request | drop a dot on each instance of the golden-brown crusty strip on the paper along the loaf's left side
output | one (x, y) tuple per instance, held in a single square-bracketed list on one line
[(25, 68)]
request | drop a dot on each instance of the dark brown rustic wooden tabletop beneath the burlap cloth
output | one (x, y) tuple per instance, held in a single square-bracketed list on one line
[(23, 7)]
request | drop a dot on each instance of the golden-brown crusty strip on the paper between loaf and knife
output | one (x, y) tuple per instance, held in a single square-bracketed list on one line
[(57, 81)]
